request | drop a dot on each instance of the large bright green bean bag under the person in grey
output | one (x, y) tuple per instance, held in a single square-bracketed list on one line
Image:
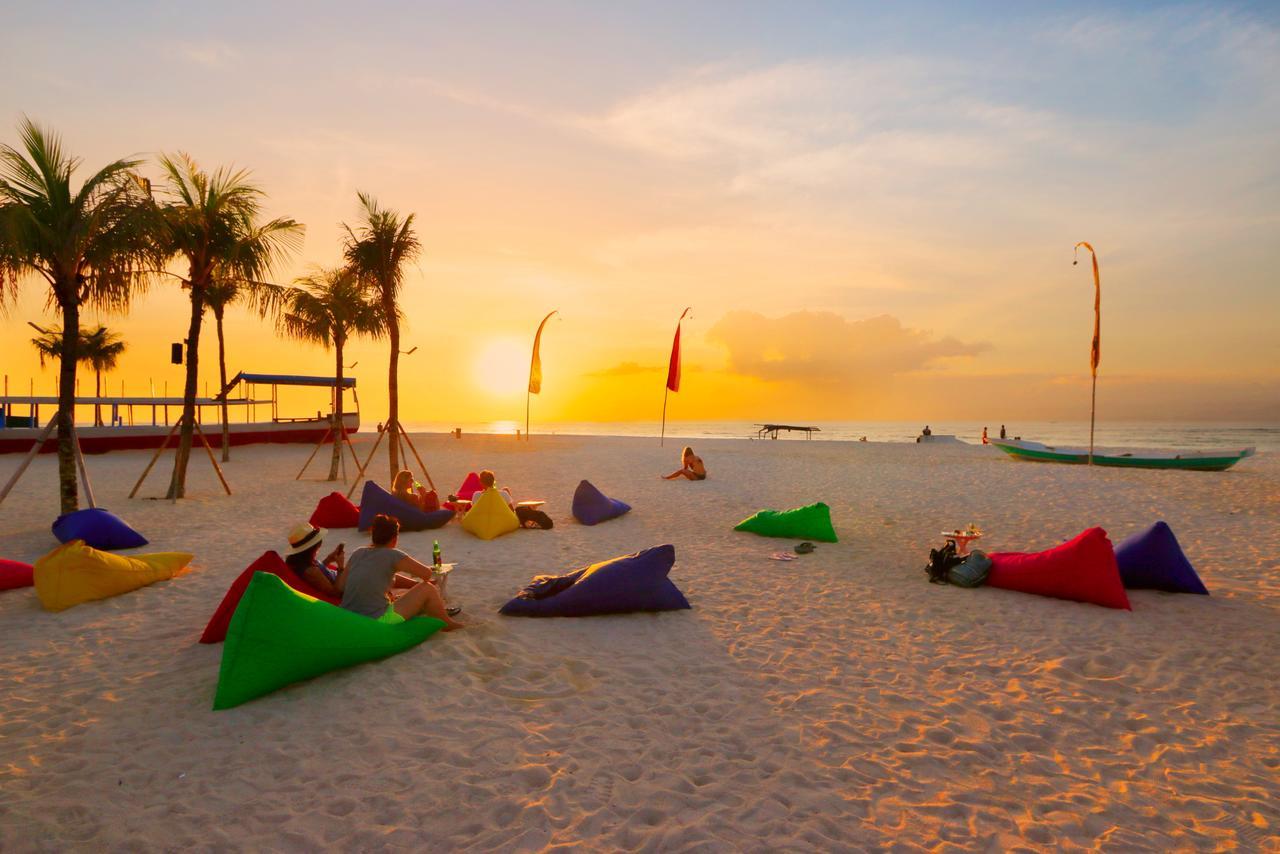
[(280, 636)]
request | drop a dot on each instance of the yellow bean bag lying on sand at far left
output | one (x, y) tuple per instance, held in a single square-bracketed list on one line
[(75, 573)]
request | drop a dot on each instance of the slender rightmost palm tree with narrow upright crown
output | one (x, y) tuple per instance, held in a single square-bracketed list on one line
[(378, 252)]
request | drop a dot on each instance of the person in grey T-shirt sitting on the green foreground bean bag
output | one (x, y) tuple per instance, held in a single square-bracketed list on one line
[(371, 586)]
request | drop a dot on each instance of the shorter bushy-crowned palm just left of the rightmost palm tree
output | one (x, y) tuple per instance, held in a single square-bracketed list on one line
[(332, 307)]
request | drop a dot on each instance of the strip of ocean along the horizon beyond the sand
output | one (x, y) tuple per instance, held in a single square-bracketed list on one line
[(1117, 435)]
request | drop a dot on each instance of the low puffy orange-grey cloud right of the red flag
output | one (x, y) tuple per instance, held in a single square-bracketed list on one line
[(822, 348)]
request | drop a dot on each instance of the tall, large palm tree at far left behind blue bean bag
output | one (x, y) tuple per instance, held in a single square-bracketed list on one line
[(92, 245)]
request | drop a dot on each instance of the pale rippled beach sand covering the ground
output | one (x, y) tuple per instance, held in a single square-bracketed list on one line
[(836, 701)]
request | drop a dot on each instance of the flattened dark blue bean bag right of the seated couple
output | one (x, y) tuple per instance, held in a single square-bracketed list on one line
[(632, 583)]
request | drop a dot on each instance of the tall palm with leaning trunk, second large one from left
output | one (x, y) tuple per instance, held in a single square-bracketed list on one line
[(212, 222)]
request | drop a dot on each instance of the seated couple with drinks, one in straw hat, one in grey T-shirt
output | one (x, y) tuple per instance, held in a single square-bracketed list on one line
[(378, 581)]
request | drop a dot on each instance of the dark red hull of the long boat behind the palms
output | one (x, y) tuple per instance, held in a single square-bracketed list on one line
[(139, 439)]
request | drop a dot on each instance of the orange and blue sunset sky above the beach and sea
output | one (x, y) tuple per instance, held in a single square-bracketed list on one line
[(870, 208)]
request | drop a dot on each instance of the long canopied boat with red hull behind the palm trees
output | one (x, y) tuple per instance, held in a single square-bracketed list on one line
[(134, 423)]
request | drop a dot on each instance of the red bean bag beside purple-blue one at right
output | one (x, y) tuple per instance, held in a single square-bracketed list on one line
[(1081, 570)]
